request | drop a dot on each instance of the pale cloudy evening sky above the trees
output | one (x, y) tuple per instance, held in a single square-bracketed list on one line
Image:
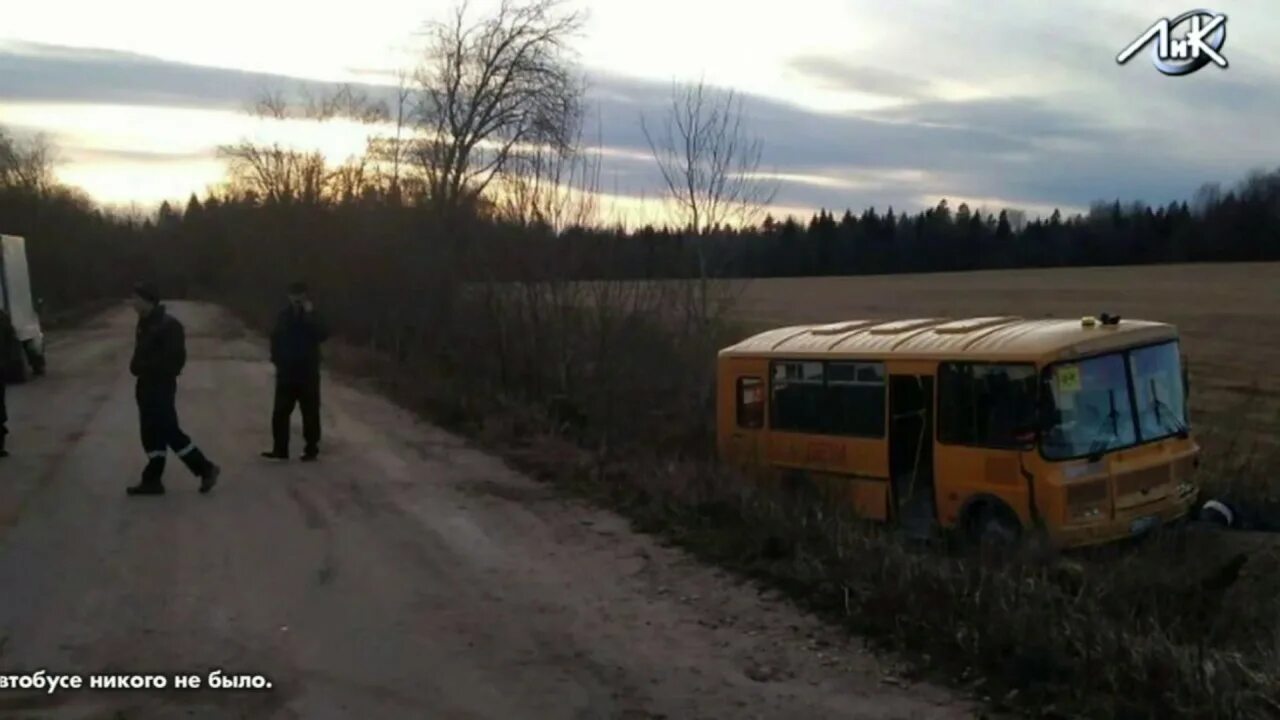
[(860, 102)]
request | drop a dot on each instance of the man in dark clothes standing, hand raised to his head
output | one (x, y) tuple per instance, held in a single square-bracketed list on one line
[(296, 356)]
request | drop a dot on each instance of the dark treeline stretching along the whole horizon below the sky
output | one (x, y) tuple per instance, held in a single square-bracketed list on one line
[(81, 253)]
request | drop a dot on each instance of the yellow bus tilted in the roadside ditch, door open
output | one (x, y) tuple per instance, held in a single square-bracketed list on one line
[(990, 427)]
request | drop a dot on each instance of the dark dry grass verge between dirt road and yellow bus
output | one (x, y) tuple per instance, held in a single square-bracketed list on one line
[(1168, 630)]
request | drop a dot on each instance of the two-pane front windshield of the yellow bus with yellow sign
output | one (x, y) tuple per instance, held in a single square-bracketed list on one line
[(1094, 402)]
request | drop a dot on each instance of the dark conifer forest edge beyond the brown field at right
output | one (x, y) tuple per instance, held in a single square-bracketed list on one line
[(1241, 225)]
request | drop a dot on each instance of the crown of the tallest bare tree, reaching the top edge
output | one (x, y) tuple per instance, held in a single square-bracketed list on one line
[(492, 86)]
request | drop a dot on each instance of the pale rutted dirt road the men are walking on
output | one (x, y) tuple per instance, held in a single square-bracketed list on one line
[(405, 576)]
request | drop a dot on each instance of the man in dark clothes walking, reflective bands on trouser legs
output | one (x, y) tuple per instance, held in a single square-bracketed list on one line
[(159, 357)]
